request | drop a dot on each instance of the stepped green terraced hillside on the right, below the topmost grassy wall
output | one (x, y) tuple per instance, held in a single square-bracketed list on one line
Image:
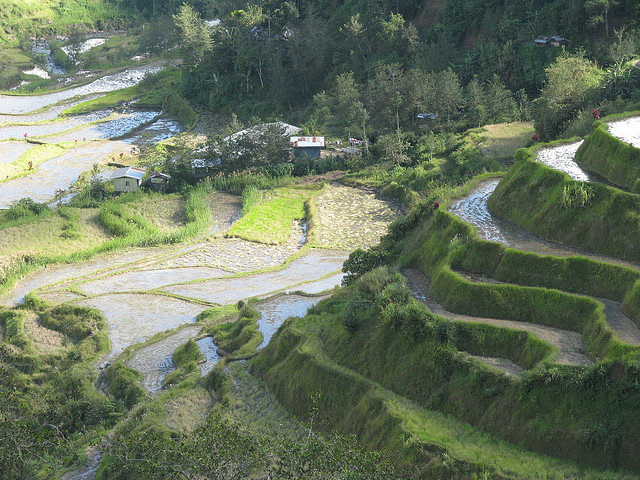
[(491, 326)]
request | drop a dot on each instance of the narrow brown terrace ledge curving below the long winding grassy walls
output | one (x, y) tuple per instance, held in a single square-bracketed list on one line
[(571, 348)]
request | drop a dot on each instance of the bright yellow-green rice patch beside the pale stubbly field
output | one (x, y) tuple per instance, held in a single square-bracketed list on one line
[(270, 222)]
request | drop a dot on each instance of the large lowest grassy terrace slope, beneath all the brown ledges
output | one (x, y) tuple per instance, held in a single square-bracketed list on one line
[(365, 379)]
